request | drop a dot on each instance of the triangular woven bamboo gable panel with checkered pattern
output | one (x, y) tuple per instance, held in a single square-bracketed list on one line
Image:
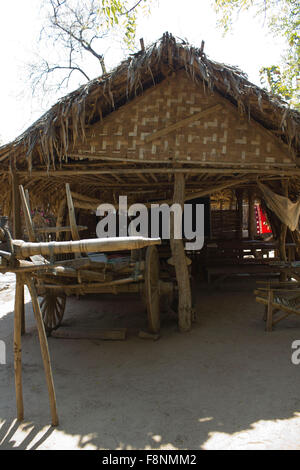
[(218, 136)]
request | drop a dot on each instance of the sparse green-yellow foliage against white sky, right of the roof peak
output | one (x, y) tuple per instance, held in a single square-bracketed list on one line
[(283, 19)]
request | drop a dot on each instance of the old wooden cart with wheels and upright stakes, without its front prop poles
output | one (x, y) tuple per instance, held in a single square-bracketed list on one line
[(121, 271)]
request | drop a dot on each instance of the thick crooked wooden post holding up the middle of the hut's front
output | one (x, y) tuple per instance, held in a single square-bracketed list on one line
[(179, 259)]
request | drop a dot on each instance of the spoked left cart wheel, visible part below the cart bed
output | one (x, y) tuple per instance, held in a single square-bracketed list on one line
[(53, 309)]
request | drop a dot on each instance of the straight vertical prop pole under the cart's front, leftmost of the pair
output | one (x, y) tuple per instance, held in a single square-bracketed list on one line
[(19, 301)]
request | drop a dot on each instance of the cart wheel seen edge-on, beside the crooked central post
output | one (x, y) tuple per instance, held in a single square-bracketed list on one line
[(152, 288)]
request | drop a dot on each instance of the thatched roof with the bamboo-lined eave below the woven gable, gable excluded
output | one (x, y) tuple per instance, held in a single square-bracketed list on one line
[(41, 158)]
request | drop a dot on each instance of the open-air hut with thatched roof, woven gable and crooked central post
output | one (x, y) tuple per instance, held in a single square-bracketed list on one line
[(168, 124)]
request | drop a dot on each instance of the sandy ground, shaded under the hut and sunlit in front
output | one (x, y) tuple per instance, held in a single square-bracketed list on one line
[(225, 385)]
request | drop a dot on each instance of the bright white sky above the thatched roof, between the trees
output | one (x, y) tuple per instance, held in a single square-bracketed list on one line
[(248, 46)]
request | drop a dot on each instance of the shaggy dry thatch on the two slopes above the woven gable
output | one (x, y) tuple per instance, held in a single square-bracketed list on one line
[(53, 135)]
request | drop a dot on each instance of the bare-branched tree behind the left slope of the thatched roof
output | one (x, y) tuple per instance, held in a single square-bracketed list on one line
[(78, 30)]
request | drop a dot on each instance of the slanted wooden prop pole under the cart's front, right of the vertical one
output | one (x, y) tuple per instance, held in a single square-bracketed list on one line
[(44, 349)]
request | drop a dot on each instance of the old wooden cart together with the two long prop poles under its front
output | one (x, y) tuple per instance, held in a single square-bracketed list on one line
[(54, 280)]
